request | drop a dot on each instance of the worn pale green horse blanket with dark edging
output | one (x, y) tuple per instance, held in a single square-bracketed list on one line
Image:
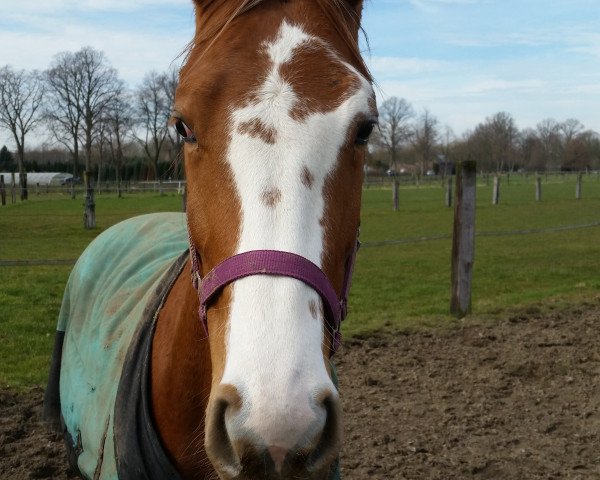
[(101, 357)]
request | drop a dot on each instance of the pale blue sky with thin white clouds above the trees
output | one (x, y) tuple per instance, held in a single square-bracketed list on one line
[(463, 60)]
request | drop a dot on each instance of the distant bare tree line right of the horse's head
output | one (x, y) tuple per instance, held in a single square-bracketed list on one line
[(407, 141)]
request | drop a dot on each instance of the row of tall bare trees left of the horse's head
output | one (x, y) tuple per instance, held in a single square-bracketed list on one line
[(90, 114)]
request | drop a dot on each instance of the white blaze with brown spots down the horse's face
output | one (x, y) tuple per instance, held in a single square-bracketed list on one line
[(274, 354)]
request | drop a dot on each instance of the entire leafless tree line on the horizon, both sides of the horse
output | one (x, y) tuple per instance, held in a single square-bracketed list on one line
[(92, 119)]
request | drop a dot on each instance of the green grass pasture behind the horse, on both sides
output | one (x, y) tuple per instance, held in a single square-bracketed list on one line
[(396, 286)]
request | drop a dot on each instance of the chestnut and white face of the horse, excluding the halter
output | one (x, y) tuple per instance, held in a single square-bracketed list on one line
[(277, 112)]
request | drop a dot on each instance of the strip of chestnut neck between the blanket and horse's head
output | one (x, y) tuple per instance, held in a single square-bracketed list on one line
[(181, 378)]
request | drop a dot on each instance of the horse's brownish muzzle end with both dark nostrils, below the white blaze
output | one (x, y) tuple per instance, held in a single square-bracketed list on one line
[(239, 453)]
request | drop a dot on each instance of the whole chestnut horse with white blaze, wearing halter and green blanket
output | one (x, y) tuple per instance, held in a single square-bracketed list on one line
[(199, 345)]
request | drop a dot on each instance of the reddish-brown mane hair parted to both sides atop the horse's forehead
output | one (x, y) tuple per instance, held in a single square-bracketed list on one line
[(219, 14)]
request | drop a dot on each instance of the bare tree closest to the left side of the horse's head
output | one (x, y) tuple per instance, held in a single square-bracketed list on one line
[(153, 112)]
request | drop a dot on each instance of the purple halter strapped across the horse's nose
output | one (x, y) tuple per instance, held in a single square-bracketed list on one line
[(275, 262)]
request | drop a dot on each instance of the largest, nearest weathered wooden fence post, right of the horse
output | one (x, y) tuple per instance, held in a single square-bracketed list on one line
[(463, 239)]
